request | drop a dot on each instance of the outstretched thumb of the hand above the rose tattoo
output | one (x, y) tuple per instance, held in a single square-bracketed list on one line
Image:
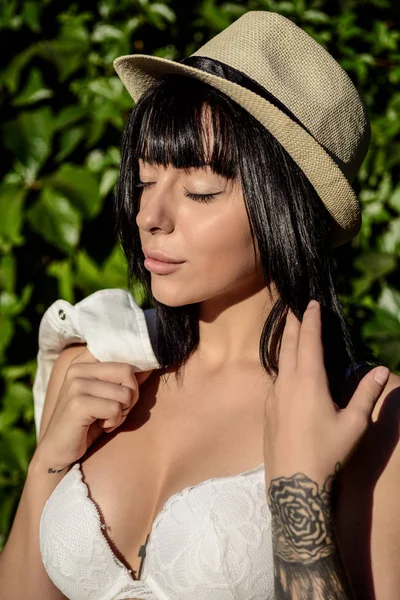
[(359, 409)]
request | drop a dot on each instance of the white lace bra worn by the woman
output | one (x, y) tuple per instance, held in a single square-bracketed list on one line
[(211, 541)]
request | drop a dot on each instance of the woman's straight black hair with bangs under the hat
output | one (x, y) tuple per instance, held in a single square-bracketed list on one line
[(288, 220)]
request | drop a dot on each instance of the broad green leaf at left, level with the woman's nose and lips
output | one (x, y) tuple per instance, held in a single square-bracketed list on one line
[(55, 219)]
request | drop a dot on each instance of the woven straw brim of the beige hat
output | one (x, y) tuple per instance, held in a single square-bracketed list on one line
[(138, 71)]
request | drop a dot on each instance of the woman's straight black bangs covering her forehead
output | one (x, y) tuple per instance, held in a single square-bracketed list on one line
[(171, 129)]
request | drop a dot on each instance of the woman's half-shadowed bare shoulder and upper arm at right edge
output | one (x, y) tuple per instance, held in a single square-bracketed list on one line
[(366, 510)]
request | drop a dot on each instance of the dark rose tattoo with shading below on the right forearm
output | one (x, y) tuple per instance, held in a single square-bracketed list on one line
[(307, 562)]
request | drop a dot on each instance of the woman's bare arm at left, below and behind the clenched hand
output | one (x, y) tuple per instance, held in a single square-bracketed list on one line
[(22, 574)]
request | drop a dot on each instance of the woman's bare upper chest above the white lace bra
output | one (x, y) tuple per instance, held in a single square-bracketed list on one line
[(175, 437)]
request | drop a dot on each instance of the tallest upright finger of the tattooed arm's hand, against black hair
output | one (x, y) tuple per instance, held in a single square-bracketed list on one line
[(310, 357)]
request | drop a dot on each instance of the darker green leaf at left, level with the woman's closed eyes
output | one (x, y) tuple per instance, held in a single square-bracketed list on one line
[(79, 186)]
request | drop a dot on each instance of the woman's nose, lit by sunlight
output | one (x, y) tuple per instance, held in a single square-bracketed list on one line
[(155, 210)]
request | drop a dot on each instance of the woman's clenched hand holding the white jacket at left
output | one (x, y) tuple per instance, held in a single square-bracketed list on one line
[(95, 397)]
